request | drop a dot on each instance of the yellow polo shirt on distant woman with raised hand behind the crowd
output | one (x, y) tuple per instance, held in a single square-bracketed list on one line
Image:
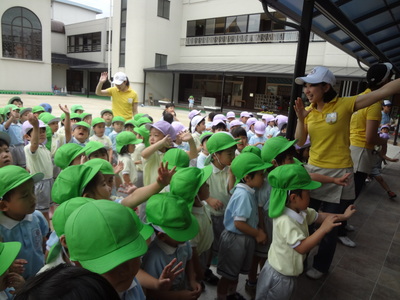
[(121, 102)]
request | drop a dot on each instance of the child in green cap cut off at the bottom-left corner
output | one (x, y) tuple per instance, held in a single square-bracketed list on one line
[(8, 278)]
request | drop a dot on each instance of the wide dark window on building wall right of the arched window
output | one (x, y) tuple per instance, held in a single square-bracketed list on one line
[(89, 42)]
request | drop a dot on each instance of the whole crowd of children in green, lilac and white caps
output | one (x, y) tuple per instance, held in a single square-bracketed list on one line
[(151, 205)]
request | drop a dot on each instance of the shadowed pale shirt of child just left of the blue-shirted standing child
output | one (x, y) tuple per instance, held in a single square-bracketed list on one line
[(204, 239)]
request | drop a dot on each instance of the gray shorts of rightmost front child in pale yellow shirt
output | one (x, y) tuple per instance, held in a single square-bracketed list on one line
[(273, 285)]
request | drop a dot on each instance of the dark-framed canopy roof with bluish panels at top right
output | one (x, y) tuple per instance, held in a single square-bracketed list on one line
[(368, 30)]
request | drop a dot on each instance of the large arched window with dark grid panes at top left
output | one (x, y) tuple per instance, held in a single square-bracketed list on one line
[(21, 34)]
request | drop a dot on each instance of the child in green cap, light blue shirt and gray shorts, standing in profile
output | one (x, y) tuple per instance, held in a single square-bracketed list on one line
[(238, 240)]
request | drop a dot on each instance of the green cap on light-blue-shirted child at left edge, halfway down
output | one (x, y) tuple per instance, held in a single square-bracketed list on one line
[(13, 176)]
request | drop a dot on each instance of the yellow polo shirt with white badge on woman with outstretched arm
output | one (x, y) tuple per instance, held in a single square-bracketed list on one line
[(330, 142)]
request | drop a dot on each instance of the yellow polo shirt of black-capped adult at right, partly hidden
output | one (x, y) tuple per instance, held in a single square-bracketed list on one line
[(358, 123)]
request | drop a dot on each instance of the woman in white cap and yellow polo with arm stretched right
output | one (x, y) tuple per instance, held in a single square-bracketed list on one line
[(327, 122)]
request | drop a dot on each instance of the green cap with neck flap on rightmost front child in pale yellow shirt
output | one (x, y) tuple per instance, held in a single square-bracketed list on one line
[(287, 178)]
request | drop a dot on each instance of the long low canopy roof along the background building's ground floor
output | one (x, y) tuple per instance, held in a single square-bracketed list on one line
[(280, 70)]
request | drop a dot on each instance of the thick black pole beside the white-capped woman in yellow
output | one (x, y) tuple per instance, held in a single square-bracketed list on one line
[(300, 65)]
